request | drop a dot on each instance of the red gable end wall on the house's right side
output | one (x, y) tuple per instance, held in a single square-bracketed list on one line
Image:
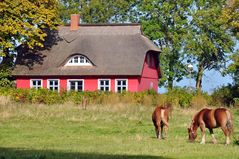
[(150, 76)]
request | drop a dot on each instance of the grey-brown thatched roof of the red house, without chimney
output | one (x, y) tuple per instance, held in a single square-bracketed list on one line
[(113, 50)]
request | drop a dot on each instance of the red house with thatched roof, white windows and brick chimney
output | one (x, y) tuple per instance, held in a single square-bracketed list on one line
[(107, 57)]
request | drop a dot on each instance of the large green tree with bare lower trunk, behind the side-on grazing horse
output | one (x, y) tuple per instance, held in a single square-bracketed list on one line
[(210, 42)]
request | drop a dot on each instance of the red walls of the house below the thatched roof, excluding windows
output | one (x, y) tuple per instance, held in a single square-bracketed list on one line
[(149, 79)]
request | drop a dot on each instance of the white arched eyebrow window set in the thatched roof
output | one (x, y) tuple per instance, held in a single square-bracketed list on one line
[(78, 60)]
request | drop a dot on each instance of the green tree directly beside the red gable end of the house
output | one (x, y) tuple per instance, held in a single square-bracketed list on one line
[(166, 23)]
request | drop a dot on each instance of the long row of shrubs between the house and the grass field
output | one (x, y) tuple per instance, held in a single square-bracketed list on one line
[(179, 97)]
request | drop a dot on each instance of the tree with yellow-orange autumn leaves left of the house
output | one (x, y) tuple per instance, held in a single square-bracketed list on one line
[(24, 22)]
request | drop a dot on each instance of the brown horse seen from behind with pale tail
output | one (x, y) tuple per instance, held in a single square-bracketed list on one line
[(160, 119)]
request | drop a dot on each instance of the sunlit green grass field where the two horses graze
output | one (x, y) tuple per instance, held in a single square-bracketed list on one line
[(119, 131)]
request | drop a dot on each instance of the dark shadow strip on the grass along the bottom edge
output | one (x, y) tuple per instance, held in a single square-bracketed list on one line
[(18, 153)]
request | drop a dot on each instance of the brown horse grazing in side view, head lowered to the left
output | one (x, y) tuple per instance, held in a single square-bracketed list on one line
[(211, 118)]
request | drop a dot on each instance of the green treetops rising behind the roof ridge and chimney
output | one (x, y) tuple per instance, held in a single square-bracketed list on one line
[(97, 11)]
